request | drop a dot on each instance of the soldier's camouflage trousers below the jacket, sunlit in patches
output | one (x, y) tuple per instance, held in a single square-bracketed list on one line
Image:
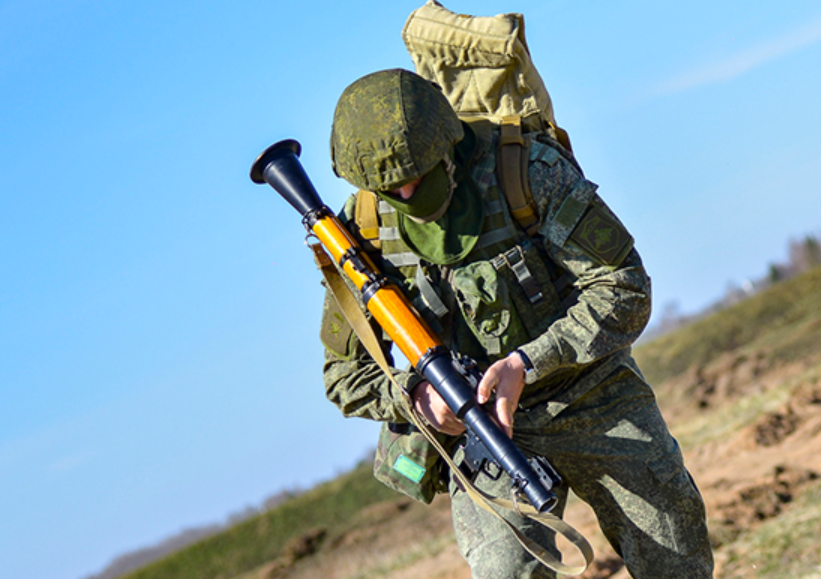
[(613, 449)]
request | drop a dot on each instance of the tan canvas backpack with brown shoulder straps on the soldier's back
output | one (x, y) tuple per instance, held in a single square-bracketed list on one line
[(483, 66)]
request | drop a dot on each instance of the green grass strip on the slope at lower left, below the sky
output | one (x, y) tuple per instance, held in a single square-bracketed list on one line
[(260, 539)]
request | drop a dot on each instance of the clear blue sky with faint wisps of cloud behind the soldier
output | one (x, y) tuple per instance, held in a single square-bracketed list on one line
[(159, 359)]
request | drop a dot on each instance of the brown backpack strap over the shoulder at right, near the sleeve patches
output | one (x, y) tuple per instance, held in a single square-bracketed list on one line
[(511, 168)]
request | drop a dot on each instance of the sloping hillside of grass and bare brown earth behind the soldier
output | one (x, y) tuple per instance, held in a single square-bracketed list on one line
[(742, 393)]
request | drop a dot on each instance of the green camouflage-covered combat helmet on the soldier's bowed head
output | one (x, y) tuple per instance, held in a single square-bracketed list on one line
[(390, 128)]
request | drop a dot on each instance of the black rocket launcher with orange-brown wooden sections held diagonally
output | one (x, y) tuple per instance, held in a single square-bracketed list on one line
[(279, 166)]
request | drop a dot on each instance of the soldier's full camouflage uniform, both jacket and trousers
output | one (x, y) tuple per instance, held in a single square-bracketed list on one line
[(585, 406)]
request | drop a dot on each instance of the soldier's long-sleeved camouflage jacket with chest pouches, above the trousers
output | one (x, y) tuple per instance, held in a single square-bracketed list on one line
[(595, 293)]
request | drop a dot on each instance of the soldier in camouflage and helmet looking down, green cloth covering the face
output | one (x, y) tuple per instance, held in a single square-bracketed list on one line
[(549, 318)]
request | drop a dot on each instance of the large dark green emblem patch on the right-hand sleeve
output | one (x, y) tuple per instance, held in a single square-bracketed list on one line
[(602, 237)]
